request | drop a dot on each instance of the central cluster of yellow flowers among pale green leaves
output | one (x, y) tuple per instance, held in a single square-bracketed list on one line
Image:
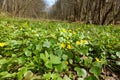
[(70, 36)]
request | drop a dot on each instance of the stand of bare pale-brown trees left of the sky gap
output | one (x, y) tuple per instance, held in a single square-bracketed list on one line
[(22, 8)]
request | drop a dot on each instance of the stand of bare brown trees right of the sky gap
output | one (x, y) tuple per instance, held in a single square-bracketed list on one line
[(89, 11)]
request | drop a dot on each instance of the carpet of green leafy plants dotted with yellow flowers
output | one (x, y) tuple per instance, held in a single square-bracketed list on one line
[(56, 50)]
